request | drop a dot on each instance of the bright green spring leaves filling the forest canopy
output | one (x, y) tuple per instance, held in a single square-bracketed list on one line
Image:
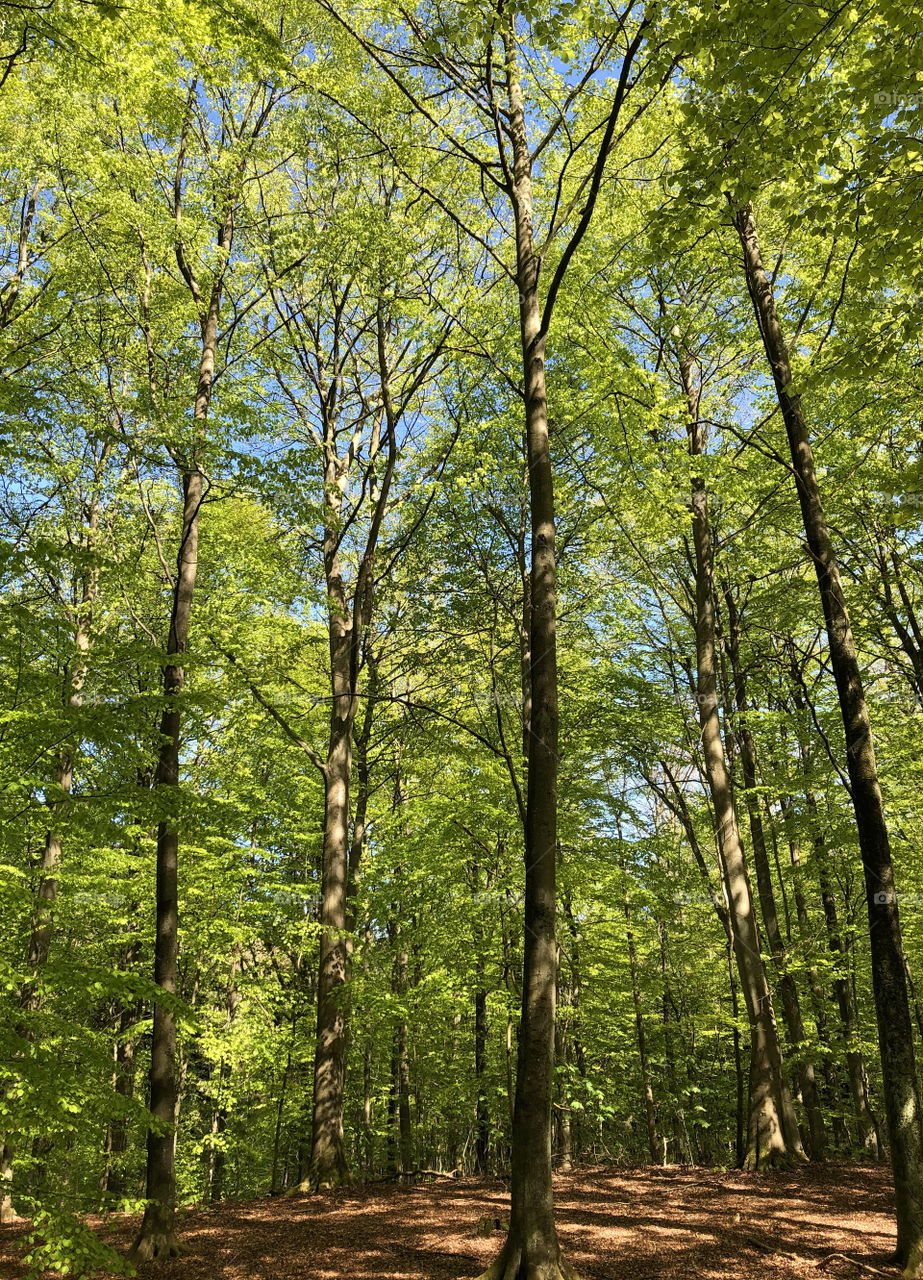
[(373, 262)]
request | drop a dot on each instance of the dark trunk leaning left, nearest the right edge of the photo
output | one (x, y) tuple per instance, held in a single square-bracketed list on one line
[(889, 976)]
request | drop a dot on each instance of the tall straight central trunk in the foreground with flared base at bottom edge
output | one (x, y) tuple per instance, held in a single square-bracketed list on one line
[(532, 1250)]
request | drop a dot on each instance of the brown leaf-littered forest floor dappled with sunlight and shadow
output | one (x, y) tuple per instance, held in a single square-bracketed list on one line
[(831, 1222)]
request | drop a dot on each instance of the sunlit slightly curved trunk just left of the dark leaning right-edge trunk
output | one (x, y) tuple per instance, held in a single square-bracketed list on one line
[(773, 1132)]
